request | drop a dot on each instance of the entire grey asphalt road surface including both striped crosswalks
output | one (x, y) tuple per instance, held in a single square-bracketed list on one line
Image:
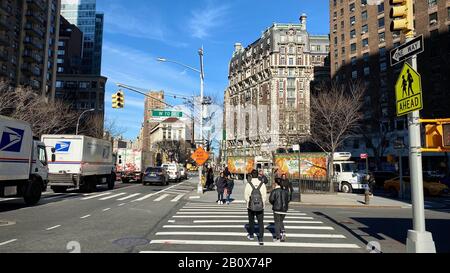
[(154, 219)]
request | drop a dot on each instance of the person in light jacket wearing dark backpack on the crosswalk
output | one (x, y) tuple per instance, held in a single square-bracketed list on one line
[(255, 195)]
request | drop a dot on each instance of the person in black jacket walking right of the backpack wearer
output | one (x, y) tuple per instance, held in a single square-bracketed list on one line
[(279, 198)]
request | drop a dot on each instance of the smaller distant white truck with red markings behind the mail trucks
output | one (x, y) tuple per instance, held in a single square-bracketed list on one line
[(131, 164)]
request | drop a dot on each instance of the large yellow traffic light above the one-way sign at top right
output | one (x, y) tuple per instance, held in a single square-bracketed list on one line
[(402, 15)]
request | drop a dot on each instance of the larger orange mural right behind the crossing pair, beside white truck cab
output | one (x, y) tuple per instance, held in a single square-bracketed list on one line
[(312, 165)]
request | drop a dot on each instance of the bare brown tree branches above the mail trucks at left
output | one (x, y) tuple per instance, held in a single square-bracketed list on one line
[(44, 116)]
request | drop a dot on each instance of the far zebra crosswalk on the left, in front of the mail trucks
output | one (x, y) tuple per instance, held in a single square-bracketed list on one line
[(171, 194)]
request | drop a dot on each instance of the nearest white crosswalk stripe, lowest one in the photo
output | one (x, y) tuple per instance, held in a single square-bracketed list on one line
[(242, 243)]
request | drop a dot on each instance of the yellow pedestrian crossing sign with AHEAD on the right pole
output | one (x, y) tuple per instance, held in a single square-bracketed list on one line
[(408, 91)]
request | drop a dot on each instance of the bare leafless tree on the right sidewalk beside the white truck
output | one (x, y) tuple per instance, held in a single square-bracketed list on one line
[(335, 116)]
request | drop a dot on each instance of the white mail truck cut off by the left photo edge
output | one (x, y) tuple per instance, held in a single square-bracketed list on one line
[(23, 162)]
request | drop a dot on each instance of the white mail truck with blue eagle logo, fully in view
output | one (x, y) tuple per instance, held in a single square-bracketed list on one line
[(79, 162)]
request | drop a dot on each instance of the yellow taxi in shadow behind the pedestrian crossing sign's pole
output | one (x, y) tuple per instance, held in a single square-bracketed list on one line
[(430, 187)]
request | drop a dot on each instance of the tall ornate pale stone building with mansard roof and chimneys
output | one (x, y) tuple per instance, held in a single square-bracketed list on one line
[(268, 96)]
